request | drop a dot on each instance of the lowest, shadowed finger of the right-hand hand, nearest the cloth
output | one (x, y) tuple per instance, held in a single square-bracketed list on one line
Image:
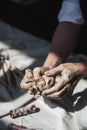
[(59, 94)]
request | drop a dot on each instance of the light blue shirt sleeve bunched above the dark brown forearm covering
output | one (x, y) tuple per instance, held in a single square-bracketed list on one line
[(71, 12)]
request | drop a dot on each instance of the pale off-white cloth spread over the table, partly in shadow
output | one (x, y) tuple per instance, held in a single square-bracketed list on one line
[(27, 51)]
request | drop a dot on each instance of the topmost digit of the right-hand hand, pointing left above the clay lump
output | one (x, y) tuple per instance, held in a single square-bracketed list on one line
[(55, 70)]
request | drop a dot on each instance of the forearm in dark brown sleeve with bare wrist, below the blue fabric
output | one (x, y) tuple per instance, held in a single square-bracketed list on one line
[(63, 43)]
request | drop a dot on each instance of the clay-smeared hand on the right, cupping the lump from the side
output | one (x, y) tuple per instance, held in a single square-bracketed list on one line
[(69, 73)]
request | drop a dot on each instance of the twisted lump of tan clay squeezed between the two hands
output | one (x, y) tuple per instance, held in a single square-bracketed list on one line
[(36, 86)]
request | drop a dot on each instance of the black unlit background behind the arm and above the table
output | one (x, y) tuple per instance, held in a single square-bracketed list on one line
[(39, 19)]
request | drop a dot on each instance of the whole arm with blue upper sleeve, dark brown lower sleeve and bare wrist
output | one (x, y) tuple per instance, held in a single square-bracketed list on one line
[(66, 34)]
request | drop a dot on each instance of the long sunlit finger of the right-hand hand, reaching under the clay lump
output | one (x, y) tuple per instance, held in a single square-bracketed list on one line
[(58, 86)]
